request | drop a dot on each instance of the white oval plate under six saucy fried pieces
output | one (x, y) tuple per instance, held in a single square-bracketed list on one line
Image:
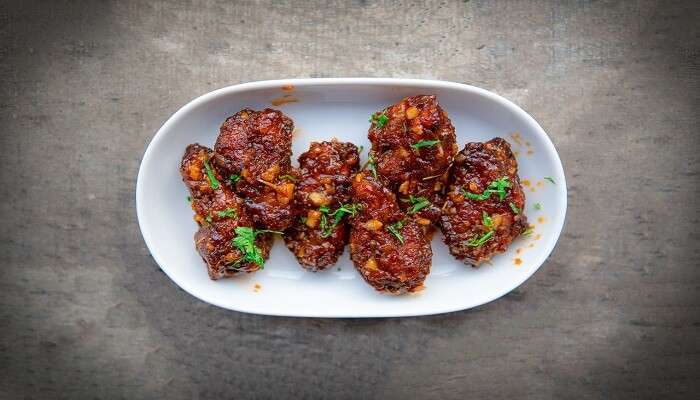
[(323, 109)]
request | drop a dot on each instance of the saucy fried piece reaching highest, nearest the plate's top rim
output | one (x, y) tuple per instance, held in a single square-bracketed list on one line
[(406, 167)]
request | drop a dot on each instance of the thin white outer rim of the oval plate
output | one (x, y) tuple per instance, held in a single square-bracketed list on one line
[(301, 82)]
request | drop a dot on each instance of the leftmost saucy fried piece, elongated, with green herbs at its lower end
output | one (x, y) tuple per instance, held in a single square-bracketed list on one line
[(218, 212)]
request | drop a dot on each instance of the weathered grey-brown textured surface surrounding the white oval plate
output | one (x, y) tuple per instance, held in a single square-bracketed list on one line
[(86, 312)]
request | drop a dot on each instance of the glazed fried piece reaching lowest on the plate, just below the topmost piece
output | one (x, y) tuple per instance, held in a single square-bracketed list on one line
[(380, 257)]
